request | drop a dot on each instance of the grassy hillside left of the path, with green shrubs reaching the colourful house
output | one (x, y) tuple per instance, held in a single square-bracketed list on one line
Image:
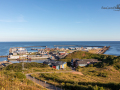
[(12, 77)]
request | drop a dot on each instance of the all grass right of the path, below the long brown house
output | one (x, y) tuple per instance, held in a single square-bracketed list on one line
[(93, 78)]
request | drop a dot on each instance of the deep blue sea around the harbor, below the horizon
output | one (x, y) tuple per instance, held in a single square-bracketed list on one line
[(5, 46)]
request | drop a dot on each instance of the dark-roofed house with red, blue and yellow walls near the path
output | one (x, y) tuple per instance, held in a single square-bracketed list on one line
[(56, 64)]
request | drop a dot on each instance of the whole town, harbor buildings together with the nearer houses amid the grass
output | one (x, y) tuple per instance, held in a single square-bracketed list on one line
[(53, 55)]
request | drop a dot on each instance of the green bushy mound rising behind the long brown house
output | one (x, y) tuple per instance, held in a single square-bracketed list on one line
[(106, 59)]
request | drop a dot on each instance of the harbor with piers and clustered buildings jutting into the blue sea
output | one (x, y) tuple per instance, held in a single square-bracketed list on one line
[(21, 53)]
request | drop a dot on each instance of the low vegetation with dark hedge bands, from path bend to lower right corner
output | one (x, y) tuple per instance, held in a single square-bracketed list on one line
[(71, 81)]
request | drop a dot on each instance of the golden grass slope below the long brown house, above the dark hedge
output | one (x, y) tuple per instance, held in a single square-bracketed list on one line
[(104, 75)]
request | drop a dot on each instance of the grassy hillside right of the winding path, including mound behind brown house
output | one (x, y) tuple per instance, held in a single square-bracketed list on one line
[(101, 76)]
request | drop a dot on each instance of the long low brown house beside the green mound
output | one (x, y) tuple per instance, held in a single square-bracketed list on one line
[(83, 62)]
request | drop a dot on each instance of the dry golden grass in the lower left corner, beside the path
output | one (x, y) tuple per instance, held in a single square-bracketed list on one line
[(9, 82)]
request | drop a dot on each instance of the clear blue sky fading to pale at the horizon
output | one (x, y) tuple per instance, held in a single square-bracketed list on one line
[(59, 20)]
